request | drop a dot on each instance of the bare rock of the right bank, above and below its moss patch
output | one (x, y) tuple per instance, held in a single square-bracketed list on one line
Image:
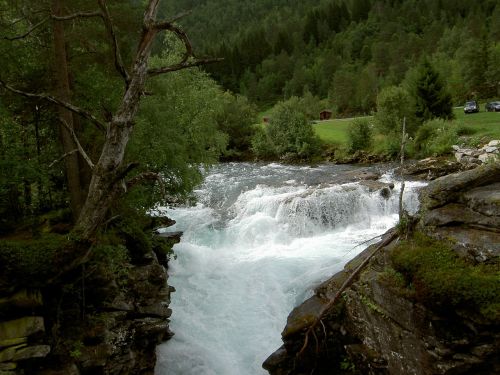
[(378, 329)]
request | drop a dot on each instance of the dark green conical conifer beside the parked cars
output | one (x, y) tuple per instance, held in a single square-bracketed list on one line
[(431, 97)]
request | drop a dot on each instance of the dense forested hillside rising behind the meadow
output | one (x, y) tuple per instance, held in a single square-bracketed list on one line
[(347, 50)]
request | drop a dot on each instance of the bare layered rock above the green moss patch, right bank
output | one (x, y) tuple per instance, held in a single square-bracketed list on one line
[(466, 209)]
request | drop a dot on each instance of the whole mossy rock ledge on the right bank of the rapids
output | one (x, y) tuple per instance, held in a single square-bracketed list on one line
[(427, 303)]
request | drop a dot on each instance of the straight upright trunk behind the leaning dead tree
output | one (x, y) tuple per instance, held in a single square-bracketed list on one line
[(63, 88)]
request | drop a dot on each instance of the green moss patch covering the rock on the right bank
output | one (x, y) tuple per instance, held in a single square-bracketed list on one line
[(442, 280)]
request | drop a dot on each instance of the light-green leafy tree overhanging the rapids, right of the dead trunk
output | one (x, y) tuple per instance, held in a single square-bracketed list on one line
[(182, 115)]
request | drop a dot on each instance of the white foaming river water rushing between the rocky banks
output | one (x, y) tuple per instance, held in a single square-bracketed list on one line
[(257, 243)]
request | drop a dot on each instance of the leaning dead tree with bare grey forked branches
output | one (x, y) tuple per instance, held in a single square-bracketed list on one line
[(109, 173)]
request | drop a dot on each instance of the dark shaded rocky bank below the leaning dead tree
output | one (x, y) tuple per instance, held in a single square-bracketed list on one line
[(107, 317)]
